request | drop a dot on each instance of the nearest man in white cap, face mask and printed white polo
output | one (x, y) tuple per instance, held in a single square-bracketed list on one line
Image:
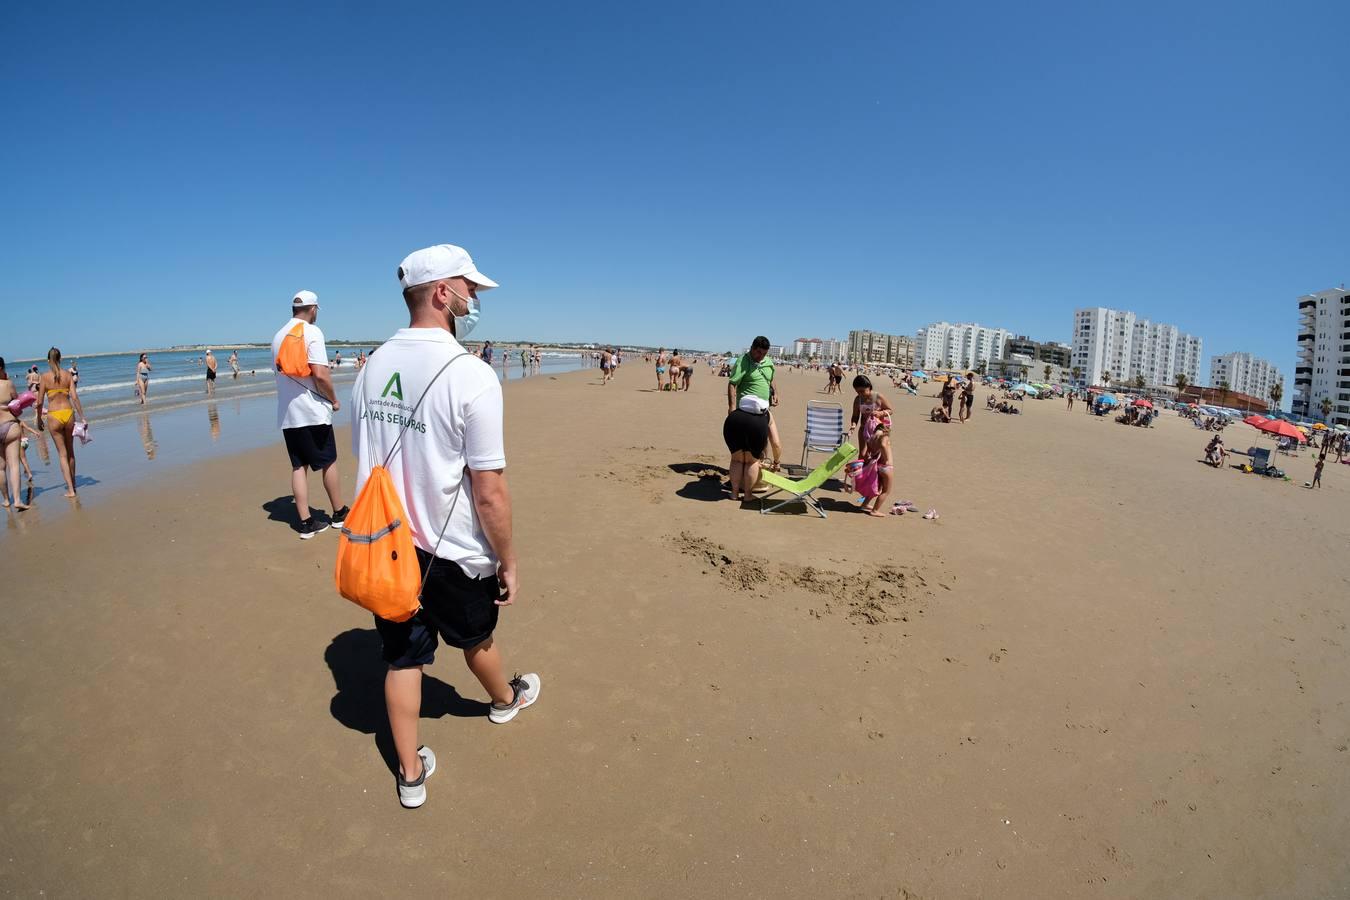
[(431, 414)]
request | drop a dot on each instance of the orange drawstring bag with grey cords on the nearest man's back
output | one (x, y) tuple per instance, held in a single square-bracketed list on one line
[(377, 559)]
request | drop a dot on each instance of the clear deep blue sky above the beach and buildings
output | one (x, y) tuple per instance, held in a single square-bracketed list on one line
[(686, 175)]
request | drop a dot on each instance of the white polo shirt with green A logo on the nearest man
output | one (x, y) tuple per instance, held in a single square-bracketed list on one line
[(458, 426)]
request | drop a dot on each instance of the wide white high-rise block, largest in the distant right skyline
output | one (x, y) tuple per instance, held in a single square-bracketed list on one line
[(1120, 343)]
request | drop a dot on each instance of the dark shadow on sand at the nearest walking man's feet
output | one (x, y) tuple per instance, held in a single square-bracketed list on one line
[(358, 673)]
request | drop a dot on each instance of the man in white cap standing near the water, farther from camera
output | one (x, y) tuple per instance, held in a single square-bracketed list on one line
[(306, 410)]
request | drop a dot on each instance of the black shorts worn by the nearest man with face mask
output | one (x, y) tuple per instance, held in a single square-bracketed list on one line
[(457, 609)]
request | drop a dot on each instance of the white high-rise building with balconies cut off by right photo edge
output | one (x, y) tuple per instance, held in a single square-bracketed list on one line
[(1324, 368)]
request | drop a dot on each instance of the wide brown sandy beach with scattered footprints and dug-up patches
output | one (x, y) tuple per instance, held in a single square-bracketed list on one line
[(1106, 671)]
